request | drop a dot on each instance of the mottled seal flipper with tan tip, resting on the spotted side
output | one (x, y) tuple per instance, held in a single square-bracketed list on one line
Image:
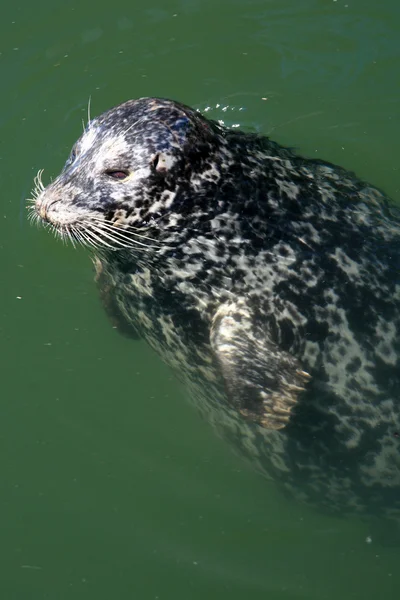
[(262, 381)]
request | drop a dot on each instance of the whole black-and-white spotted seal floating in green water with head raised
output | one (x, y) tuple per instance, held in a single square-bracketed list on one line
[(268, 282)]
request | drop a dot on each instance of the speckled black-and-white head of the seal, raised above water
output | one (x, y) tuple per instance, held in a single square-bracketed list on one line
[(125, 172)]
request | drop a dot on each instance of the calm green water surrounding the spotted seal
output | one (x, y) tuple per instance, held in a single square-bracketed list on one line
[(110, 484)]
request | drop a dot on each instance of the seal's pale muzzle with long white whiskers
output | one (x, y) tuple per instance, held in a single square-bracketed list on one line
[(86, 228)]
